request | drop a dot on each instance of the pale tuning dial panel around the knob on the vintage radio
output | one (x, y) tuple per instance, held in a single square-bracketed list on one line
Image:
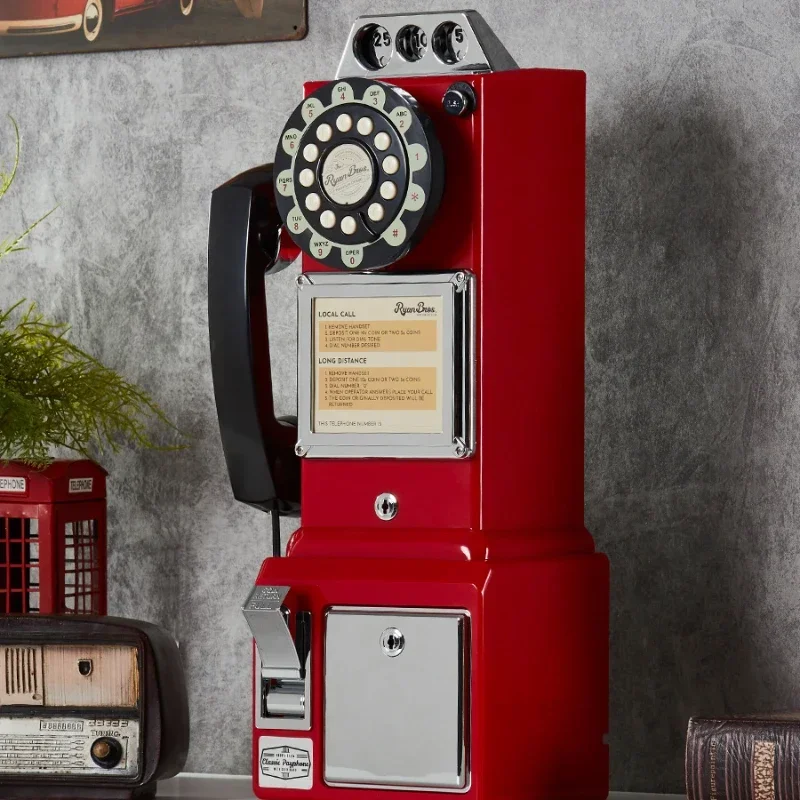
[(61, 745)]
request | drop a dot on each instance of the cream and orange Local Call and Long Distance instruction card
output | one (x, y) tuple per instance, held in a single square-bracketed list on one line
[(378, 365)]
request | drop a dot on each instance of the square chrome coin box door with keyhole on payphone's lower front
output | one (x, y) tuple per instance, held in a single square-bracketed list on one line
[(396, 698)]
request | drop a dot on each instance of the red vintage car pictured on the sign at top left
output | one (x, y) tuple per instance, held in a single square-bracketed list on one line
[(87, 18)]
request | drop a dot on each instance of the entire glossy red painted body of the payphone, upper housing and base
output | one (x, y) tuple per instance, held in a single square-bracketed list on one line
[(500, 534)]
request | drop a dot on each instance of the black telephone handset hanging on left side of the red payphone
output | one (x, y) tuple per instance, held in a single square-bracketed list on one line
[(243, 247)]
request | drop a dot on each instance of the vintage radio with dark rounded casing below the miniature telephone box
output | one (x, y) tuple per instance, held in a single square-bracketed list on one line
[(90, 707)]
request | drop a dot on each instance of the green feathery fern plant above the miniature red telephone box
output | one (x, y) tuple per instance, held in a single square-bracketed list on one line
[(52, 393)]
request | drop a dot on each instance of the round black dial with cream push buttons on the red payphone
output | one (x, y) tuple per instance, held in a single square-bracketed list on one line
[(359, 174)]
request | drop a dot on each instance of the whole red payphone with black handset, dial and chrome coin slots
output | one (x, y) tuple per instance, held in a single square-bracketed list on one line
[(440, 622)]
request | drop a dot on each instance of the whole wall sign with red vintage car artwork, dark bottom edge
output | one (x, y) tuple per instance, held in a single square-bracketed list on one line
[(42, 27)]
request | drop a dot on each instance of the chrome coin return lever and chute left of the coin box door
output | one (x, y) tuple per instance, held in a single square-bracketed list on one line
[(284, 659)]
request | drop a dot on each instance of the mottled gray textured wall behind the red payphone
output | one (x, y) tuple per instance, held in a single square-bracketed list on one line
[(693, 421)]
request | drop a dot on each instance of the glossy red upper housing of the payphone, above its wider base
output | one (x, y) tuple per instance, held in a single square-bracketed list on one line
[(512, 213)]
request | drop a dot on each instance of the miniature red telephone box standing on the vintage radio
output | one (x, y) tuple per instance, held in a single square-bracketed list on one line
[(53, 538)]
